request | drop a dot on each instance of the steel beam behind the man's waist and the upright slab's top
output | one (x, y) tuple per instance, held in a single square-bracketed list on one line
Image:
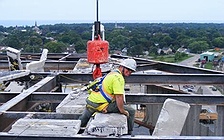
[(140, 98)]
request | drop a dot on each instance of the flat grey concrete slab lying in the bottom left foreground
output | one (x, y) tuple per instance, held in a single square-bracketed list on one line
[(45, 127)]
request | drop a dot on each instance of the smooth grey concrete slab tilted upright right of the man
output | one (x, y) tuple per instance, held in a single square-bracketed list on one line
[(172, 118)]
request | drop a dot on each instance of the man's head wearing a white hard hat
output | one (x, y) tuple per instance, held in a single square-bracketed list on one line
[(128, 66)]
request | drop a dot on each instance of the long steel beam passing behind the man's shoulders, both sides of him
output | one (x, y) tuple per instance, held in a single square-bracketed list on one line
[(201, 79)]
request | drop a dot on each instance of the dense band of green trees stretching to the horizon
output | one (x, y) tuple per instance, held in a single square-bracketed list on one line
[(145, 35)]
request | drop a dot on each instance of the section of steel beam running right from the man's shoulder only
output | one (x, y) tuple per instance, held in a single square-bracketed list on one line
[(176, 78)]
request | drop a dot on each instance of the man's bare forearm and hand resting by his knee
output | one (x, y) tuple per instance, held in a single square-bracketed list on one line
[(120, 104)]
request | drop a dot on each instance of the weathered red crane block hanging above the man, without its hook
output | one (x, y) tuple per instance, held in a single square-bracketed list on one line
[(97, 51)]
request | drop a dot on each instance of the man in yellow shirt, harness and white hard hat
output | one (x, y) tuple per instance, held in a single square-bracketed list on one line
[(110, 96)]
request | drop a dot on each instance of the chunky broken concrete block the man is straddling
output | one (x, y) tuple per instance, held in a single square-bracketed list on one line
[(111, 124)]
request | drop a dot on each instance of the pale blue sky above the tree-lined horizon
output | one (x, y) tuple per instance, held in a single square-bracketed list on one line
[(84, 11)]
